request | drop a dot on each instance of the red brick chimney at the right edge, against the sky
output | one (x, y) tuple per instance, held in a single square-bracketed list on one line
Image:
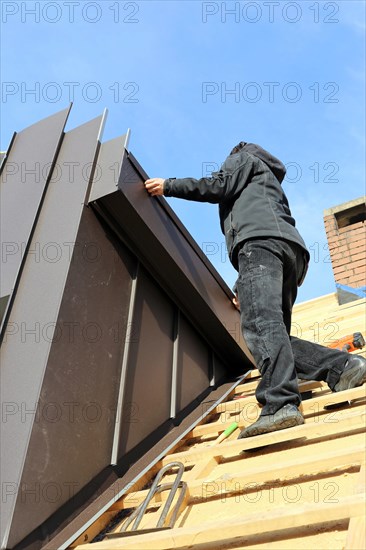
[(346, 233)]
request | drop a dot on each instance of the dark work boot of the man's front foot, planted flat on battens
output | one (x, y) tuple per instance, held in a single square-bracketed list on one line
[(287, 417)]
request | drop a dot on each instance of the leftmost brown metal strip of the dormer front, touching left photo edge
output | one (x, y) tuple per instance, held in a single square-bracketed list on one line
[(23, 178)]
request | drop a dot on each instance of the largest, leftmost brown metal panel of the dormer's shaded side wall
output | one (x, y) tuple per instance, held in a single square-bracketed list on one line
[(72, 439)]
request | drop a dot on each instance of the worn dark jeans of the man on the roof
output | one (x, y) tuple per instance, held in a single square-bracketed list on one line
[(269, 270)]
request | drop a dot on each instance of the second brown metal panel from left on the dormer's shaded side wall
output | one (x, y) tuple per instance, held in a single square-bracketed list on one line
[(149, 371)]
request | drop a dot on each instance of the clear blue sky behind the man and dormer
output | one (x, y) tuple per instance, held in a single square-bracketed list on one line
[(193, 78)]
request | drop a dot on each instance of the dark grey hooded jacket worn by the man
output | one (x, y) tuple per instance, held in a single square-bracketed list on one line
[(250, 197)]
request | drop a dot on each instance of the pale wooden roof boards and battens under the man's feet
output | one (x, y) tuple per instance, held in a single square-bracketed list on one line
[(294, 488)]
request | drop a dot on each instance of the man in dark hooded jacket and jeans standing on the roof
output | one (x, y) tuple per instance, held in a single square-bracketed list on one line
[(271, 258)]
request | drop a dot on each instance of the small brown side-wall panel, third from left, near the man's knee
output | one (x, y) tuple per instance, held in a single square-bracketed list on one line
[(194, 364)]
